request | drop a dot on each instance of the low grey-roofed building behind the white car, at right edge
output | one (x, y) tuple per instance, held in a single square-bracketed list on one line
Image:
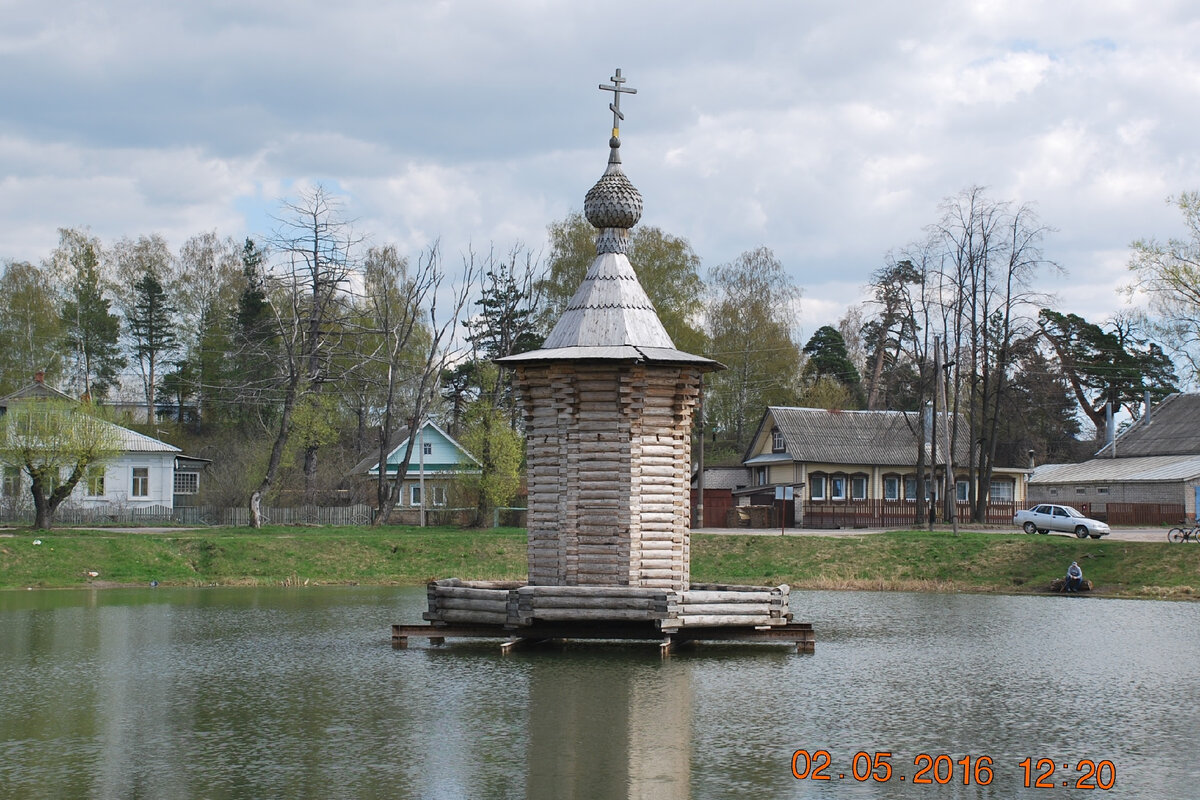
[(1150, 474)]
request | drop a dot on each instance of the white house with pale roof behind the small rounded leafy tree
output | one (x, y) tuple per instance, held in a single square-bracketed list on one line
[(146, 479)]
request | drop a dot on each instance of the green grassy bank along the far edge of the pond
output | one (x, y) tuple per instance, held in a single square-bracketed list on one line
[(910, 561)]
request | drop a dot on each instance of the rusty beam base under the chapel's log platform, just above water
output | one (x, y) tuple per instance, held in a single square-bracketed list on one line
[(801, 634)]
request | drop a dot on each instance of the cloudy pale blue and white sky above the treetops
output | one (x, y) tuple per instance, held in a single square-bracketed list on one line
[(826, 131)]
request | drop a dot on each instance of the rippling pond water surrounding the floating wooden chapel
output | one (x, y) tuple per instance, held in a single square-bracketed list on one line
[(298, 694)]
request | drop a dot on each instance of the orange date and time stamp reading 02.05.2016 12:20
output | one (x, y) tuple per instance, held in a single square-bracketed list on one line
[(943, 769)]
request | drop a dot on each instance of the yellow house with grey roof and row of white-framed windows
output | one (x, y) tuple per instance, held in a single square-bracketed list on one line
[(860, 468)]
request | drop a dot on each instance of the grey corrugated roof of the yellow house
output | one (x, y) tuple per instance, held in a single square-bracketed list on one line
[(818, 435)]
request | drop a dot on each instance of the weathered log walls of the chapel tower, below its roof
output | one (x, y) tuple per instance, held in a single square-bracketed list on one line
[(609, 452)]
